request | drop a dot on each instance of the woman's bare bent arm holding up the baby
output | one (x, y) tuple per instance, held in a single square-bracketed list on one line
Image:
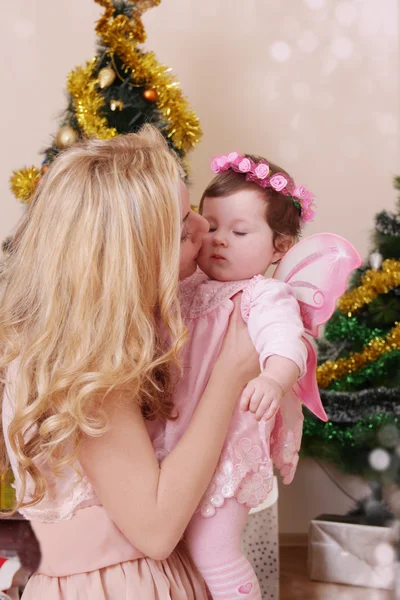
[(151, 503)]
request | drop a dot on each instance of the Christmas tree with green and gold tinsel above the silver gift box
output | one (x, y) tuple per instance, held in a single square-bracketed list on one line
[(359, 367)]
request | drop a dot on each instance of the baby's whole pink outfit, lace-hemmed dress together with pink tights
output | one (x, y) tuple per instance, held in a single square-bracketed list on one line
[(244, 475)]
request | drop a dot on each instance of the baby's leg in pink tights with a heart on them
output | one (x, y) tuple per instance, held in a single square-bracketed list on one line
[(214, 544)]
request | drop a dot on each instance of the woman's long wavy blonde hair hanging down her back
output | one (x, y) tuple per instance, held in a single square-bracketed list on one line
[(88, 297)]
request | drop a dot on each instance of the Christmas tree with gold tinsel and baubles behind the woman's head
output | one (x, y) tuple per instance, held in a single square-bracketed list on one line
[(118, 91)]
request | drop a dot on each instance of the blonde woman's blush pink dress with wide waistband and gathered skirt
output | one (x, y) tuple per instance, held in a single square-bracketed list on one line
[(84, 554)]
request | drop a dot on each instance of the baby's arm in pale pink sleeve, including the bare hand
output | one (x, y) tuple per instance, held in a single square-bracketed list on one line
[(276, 328)]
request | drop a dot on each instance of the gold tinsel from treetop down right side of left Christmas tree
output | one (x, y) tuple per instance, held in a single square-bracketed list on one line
[(121, 36)]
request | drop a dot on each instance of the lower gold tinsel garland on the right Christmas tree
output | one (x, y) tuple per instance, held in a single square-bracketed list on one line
[(332, 370)]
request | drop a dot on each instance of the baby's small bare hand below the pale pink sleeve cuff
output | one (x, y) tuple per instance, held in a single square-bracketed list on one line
[(262, 396)]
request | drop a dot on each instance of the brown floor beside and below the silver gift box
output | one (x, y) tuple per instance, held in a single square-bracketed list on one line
[(295, 584)]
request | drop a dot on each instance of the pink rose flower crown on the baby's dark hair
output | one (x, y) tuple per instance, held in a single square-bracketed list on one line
[(259, 174)]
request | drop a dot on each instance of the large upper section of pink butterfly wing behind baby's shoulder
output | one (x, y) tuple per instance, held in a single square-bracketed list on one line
[(317, 268)]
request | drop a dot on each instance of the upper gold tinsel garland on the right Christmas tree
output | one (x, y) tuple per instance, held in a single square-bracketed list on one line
[(373, 283)]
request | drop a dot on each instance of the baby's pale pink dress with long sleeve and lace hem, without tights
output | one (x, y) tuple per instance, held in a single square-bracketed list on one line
[(272, 313)]
